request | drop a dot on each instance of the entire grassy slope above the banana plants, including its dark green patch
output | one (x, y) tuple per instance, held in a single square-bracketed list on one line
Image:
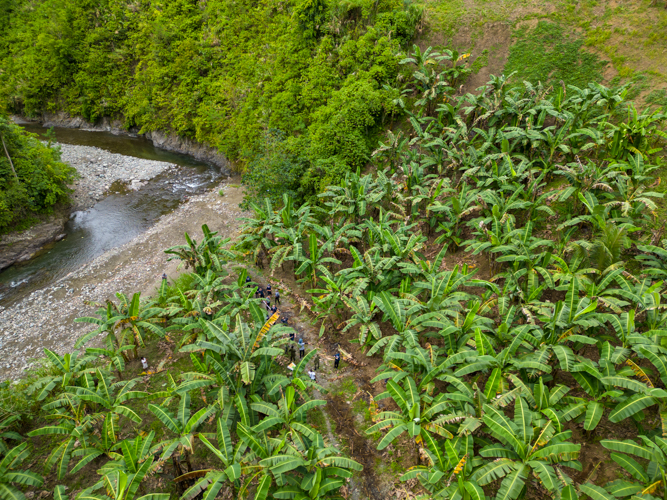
[(630, 35)]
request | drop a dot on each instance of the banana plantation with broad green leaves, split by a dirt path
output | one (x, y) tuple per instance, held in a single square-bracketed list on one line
[(500, 266)]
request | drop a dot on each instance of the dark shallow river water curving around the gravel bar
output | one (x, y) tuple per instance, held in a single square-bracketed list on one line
[(113, 221)]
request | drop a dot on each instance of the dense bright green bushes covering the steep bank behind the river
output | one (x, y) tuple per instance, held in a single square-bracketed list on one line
[(303, 77)]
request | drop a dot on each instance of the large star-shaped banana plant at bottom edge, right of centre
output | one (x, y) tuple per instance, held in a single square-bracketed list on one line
[(523, 449)]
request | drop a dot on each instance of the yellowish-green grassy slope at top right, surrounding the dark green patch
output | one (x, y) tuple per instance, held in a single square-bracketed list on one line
[(631, 36)]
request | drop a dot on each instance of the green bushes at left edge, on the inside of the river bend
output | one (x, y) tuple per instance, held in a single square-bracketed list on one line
[(32, 177)]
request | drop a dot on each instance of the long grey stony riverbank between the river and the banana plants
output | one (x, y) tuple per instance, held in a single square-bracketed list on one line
[(46, 317)]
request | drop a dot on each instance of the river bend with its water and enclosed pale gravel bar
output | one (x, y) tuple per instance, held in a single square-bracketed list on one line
[(151, 183)]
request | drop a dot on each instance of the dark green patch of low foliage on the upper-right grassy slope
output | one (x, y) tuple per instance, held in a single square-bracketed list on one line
[(550, 53)]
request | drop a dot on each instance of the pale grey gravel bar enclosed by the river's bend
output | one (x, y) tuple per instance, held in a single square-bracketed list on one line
[(99, 169)]
